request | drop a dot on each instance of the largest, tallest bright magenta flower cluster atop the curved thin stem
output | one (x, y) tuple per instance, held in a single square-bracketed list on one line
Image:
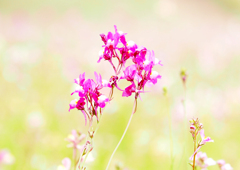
[(139, 73)]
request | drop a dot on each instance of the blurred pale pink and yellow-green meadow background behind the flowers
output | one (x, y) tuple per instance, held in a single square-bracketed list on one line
[(44, 45)]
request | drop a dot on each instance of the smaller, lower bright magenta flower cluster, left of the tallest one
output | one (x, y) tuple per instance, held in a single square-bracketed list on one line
[(90, 99)]
